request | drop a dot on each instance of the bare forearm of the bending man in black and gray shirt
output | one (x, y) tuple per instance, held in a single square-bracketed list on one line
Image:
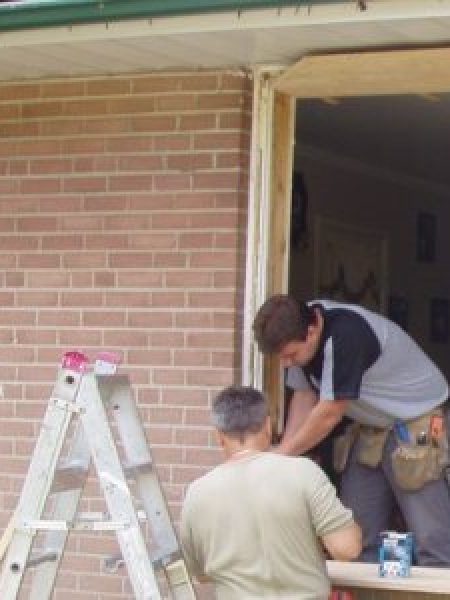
[(322, 418)]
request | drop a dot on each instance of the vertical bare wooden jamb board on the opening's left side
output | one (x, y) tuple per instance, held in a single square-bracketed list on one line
[(281, 186)]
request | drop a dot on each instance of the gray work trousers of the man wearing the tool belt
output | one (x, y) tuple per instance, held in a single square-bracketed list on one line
[(372, 494)]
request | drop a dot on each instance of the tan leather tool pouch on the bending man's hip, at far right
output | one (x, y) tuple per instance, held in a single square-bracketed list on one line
[(415, 464)]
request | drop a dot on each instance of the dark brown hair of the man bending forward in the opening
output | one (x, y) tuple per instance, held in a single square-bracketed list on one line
[(280, 320)]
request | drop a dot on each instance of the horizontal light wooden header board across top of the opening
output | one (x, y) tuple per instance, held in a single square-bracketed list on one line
[(417, 71)]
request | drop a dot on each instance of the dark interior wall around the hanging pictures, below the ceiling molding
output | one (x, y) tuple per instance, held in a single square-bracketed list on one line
[(343, 191)]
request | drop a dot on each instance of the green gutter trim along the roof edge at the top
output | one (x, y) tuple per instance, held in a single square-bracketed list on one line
[(50, 13)]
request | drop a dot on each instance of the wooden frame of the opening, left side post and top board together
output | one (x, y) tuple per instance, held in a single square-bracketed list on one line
[(422, 71)]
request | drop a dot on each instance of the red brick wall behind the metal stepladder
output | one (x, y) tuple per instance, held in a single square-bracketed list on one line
[(122, 226)]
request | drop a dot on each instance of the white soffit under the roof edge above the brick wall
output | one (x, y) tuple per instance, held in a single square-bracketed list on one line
[(226, 40)]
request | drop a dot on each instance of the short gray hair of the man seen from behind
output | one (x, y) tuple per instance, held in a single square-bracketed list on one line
[(239, 410)]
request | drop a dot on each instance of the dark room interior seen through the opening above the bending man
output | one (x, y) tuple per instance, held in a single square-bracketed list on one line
[(371, 191)]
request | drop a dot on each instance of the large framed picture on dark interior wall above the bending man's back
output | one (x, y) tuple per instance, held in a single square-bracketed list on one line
[(351, 264)]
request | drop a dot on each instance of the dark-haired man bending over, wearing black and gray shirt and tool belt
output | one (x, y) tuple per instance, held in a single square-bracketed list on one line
[(345, 361)]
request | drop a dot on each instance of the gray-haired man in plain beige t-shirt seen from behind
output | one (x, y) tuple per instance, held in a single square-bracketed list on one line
[(256, 525)]
